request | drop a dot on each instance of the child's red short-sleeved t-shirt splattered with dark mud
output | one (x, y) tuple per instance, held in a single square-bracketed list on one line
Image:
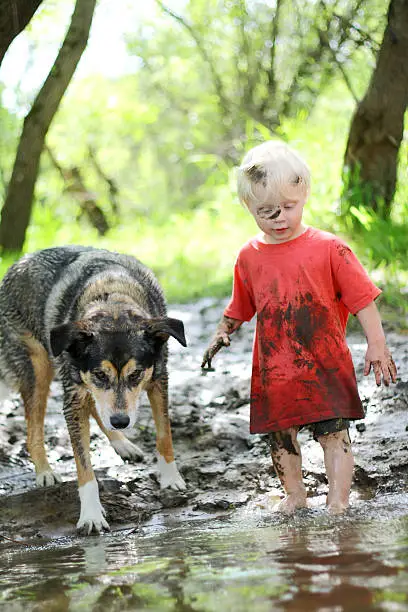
[(302, 292)]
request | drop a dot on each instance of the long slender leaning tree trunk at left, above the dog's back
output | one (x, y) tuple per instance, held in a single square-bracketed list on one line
[(16, 212)]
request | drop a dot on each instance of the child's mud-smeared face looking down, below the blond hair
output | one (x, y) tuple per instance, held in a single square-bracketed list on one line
[(279, 217)]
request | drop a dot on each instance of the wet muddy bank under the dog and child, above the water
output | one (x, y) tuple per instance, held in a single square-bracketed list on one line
[(224, 466)]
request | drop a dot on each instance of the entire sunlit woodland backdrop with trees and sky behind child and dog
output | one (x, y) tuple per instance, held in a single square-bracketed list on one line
[(139, 156)]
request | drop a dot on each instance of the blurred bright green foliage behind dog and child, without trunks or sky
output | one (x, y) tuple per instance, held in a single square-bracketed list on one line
[(169, 133)]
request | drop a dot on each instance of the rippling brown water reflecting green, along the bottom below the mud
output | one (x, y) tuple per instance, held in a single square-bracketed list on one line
[(248, 562)]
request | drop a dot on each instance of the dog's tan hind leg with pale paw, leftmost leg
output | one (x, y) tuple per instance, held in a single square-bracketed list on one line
[(34, 389)]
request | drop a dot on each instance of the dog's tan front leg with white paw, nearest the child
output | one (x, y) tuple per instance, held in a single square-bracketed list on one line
[(158, 397)]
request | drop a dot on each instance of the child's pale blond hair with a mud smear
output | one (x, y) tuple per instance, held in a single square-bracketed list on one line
[(275, 166)]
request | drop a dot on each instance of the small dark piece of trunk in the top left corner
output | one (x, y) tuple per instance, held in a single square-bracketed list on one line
[(14, 17)]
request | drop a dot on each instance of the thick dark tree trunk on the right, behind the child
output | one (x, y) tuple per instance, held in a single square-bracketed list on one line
[(376, 131)]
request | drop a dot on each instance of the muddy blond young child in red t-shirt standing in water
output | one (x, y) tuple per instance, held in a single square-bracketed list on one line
[(302, 283)]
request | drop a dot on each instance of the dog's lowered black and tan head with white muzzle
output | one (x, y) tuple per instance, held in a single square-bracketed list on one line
[(114, 357)]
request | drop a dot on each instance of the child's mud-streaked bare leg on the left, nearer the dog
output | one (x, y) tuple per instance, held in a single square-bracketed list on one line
[(287, 461)]
